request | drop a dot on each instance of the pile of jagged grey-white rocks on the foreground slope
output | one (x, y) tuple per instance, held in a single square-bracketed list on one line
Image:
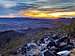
[(51, 44)]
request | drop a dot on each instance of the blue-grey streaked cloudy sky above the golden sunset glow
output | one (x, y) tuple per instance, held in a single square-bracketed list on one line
[(12, 7)]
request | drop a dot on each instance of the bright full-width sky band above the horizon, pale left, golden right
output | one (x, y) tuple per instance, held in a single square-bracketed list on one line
[(55, 15)]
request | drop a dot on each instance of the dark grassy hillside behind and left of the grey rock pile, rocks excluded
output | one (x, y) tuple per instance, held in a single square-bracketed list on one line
[(11, 40)]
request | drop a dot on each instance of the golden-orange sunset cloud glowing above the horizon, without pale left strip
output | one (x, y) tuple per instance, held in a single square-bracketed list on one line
[(47, 14)]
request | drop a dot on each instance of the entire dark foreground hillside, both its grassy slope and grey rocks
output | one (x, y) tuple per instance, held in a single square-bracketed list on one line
[(15, 43)]
